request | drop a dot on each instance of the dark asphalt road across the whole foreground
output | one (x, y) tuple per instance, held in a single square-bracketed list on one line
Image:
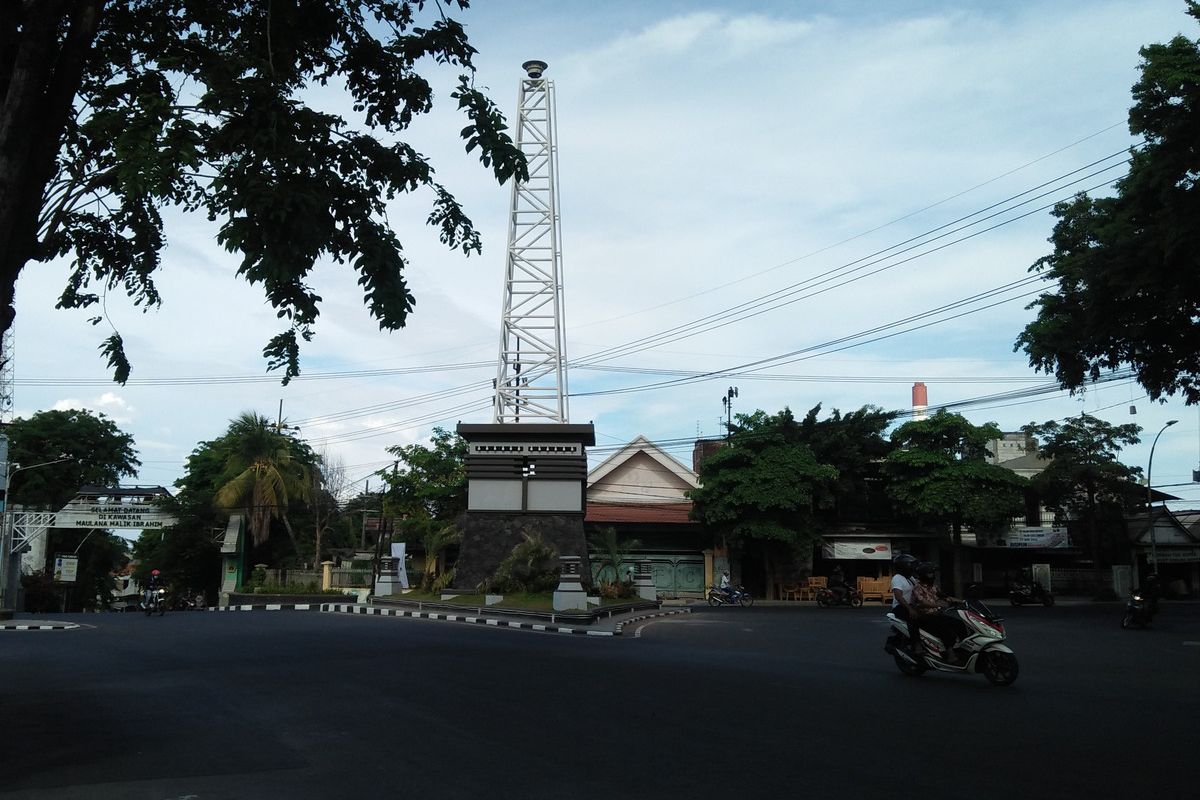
[(724, 703)]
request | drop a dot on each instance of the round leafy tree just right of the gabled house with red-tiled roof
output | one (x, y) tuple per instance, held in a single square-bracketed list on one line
[(763, 486)]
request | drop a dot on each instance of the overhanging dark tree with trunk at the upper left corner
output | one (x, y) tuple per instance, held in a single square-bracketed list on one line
[(111, 112)]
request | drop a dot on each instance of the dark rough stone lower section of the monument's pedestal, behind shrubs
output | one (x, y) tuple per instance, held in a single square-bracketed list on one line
[(489, 537)]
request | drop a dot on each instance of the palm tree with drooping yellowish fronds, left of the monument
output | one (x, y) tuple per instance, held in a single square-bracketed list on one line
[(267, 477)]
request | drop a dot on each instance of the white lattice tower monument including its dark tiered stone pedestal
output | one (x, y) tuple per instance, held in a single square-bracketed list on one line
[(527, 471)]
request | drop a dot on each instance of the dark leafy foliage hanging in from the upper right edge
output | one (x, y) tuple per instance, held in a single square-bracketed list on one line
[(1127, 267)]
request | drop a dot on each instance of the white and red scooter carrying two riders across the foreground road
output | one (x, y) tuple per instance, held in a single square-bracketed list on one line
[(982, 651)]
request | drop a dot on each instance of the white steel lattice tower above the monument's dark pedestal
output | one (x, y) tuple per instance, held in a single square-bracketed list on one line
[(531, 381)]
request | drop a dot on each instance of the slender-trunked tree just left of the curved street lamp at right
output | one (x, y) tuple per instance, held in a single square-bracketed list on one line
[(1084, 477)]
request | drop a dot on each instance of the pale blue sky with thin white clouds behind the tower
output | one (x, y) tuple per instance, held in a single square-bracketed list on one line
[(827, 169)]
